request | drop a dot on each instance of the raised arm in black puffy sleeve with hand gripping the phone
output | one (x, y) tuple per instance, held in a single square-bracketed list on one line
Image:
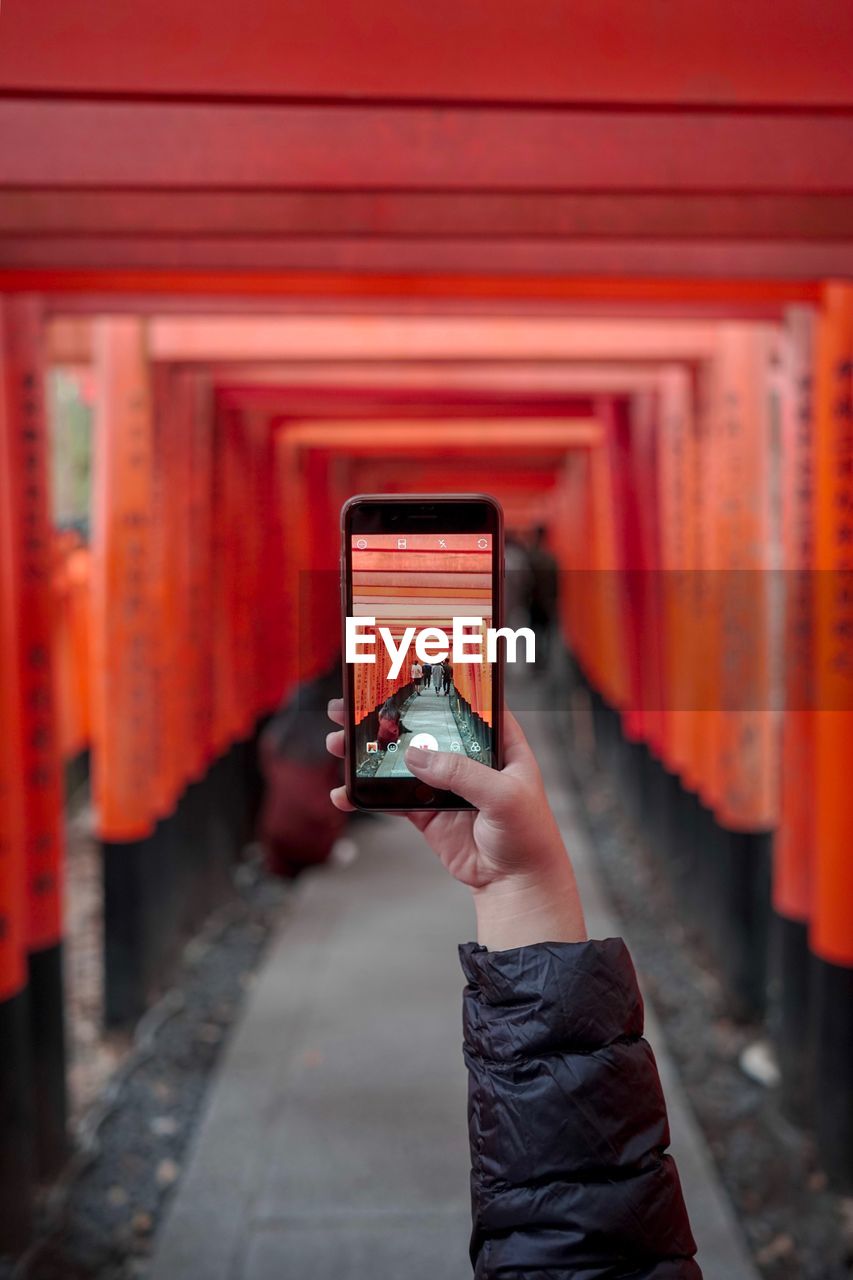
[(567, 1117)]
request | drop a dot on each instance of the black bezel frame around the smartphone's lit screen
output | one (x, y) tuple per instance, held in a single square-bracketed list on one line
[(403, 514)]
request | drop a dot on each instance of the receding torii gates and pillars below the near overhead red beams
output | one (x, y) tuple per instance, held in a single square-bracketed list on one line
[(225, 449)]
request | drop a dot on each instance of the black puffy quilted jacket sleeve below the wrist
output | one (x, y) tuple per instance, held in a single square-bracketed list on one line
[(567, 1121)]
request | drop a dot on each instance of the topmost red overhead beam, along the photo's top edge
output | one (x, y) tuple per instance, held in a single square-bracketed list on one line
[(782, 52)]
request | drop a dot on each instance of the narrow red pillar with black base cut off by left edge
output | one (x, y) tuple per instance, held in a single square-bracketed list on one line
[(17, 1155)]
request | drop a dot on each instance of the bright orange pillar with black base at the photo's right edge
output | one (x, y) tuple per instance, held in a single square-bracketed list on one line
[(832, 926)]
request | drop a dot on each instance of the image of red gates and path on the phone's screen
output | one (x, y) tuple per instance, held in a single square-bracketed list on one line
[(422, 580)]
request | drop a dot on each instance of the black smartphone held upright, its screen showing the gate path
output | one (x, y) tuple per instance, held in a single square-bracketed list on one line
[(422, 601)]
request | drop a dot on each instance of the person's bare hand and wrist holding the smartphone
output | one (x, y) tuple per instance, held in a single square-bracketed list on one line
[(509, 852)]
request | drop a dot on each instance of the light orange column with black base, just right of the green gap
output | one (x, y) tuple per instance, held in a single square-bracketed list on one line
[(125, 769)]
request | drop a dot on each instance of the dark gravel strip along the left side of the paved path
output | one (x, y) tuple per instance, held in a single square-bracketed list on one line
[(133, 1141)]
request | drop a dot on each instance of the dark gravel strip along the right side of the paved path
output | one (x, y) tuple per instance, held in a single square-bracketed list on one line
[(796, 1227)]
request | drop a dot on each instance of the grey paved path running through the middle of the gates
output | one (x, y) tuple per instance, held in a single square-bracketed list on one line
[(335, 1145)]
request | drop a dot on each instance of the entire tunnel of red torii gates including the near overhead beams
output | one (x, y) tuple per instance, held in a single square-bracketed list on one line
[(587, 267)]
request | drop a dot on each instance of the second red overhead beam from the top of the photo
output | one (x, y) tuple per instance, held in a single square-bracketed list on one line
[(75, 143)]
